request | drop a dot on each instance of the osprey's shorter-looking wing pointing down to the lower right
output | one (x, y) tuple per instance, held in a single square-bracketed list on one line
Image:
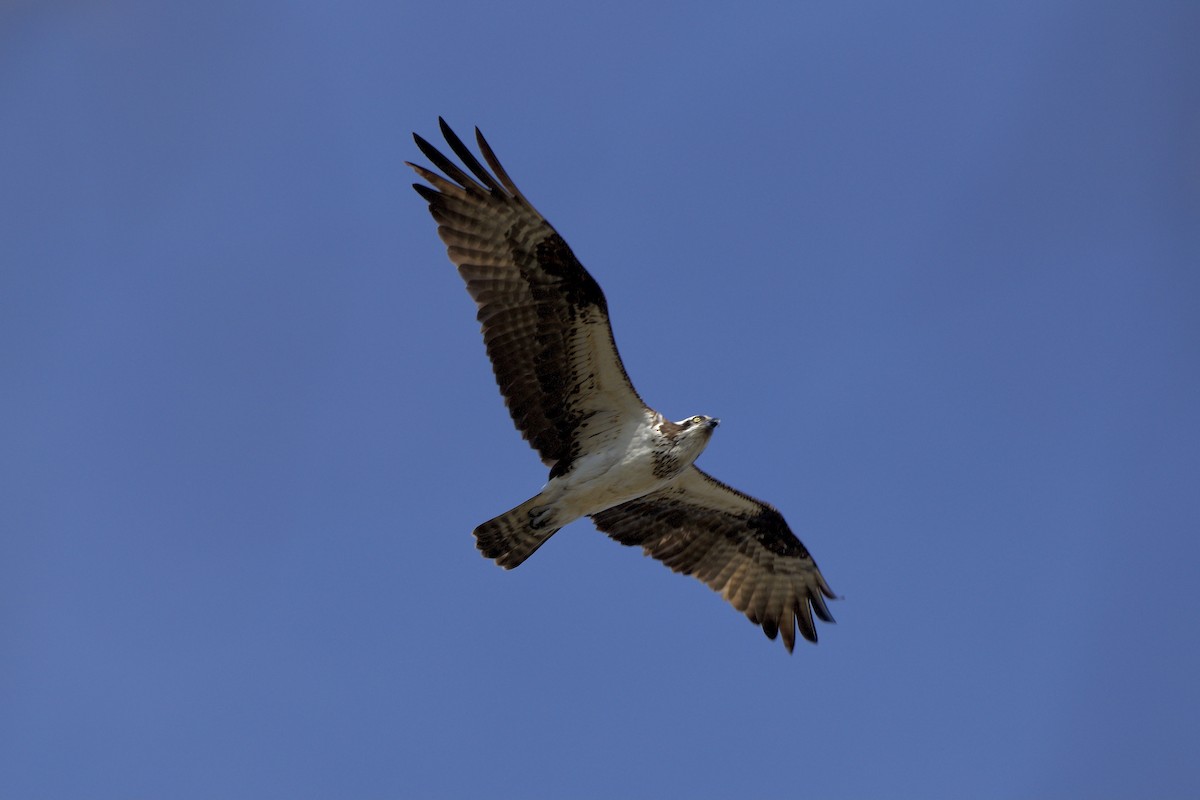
[(737, 545)]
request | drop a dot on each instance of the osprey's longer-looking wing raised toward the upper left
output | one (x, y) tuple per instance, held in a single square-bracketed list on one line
[(544, 318)]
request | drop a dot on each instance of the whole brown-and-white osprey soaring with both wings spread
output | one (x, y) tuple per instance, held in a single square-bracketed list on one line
[(611, 458)]
